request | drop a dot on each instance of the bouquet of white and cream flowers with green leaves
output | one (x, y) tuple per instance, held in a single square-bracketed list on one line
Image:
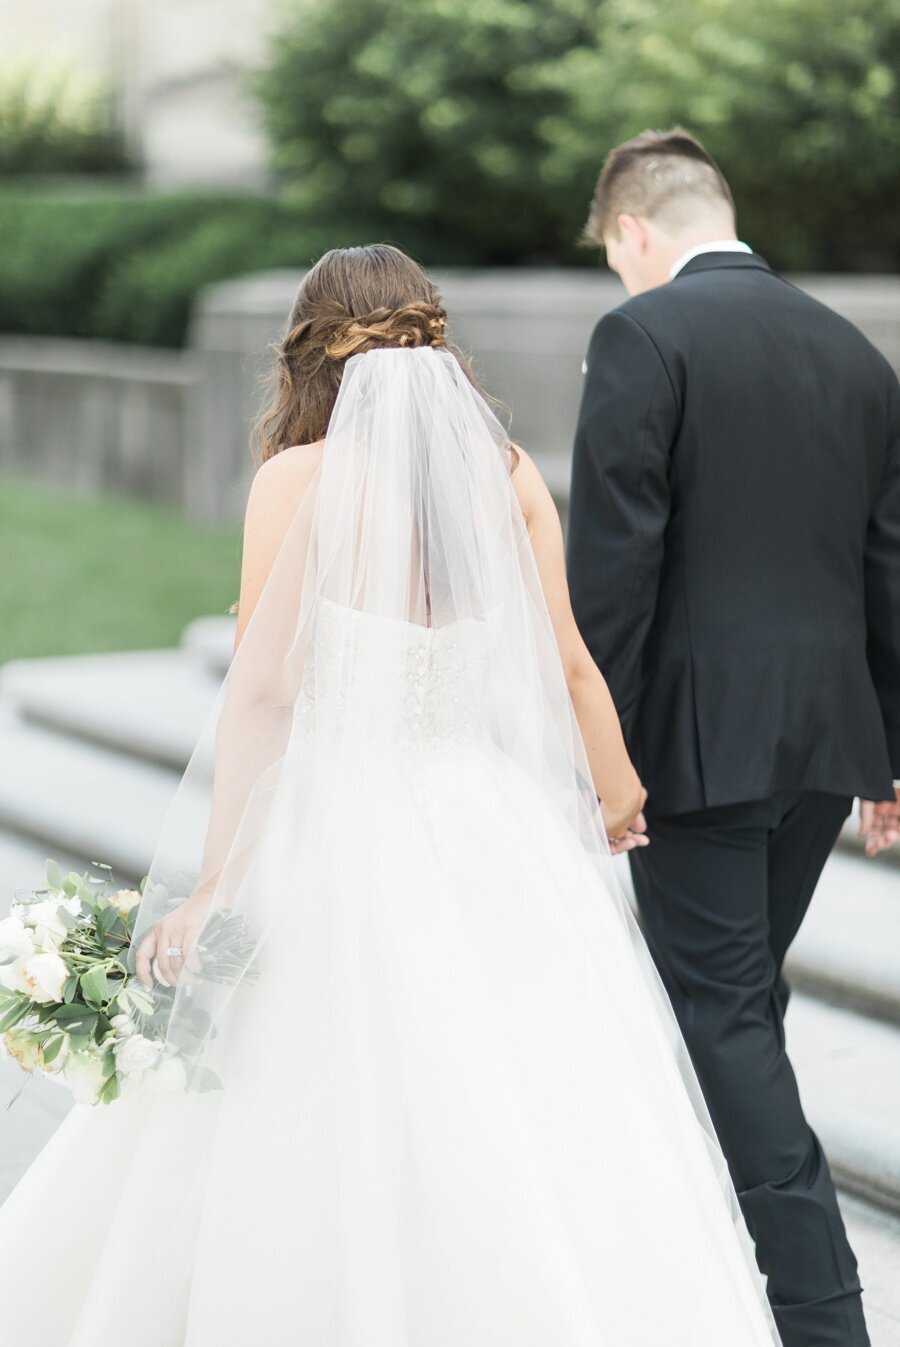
[(72, 1011)]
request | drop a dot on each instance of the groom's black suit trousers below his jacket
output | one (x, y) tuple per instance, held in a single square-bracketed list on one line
[(721, 895)]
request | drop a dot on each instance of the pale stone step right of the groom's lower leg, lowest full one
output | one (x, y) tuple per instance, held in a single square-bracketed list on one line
[(849, 1073)]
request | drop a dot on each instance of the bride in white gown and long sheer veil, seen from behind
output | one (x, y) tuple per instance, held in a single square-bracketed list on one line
[(452, 1105)]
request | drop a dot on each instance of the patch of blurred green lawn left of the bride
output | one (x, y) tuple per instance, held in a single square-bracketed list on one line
[(108, 574)]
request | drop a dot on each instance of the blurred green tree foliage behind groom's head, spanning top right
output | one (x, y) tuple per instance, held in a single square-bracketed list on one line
[(475, 129)]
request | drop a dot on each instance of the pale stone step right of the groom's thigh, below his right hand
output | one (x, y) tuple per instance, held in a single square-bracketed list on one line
[(848, 950)]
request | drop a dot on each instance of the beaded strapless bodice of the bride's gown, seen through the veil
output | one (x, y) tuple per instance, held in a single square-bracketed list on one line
[(393, 684)]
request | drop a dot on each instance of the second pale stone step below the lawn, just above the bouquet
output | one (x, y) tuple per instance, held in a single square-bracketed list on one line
[(82, 799)]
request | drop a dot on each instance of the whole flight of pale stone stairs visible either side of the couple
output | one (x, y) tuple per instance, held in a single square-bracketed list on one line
[(92, 750)]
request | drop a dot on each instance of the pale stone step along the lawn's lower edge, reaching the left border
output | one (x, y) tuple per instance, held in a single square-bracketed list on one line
[(150, 705)]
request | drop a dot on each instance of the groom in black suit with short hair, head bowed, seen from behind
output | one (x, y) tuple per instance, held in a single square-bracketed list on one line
[(735, 564)]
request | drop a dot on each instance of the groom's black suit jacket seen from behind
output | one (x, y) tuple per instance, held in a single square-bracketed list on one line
[(735, 539)]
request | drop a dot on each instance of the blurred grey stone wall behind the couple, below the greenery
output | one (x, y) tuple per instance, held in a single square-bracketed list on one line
[(174, 426)]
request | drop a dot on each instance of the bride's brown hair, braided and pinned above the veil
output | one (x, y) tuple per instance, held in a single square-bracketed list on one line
[(355, 300)]
